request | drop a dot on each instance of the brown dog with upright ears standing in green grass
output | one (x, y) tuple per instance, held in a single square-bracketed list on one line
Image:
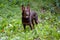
[(29, 17)]
